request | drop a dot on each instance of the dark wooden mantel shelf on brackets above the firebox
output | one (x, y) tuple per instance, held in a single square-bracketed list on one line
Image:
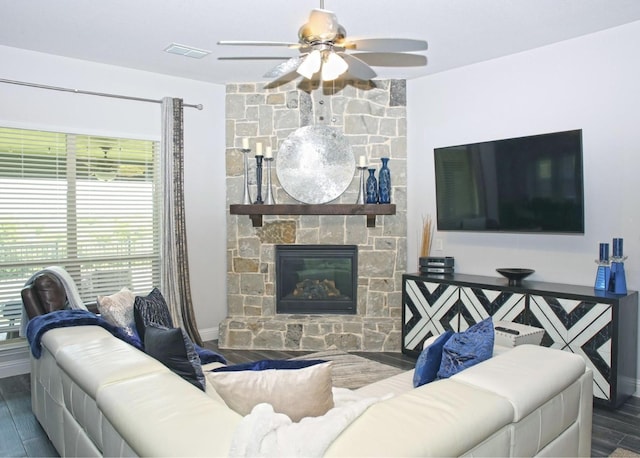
[(255, 211)]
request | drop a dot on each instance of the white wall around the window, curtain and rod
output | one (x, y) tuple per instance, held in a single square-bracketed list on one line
[(204, 140)]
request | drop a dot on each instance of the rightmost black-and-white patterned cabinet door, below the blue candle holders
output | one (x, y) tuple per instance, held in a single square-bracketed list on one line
[(584, 328)]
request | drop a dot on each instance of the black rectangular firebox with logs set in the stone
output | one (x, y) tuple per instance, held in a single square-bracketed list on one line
[(316, 279)]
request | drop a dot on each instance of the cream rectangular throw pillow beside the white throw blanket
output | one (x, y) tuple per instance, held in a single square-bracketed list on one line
[(297, 393)]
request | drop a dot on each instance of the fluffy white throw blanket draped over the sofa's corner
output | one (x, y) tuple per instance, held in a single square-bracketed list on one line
[(265, 433)]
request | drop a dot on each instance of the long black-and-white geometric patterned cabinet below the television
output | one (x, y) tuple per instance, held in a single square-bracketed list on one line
[(601, 327)]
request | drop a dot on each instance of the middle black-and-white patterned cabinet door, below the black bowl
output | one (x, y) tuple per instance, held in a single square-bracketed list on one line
[(476, 304)]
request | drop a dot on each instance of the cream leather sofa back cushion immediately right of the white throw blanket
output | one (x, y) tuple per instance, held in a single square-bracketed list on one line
[(443, 418)]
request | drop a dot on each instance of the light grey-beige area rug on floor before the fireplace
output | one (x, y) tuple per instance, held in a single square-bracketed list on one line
[(352, 371)]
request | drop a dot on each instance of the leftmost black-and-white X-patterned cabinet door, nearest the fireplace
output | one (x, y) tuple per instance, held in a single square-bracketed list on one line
[(429, 309)]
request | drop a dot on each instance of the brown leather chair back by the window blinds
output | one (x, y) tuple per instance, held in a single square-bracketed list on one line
[(43, 295)]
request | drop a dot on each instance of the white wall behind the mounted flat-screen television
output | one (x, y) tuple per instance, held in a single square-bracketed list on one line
[(589, 83)]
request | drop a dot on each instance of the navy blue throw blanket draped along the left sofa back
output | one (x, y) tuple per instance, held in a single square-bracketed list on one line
[(64, 318)]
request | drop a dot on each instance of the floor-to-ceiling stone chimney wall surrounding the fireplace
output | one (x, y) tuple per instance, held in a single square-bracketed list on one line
[(372, 116)]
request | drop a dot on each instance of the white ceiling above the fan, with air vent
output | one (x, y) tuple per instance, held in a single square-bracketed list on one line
[(134, 33)]
